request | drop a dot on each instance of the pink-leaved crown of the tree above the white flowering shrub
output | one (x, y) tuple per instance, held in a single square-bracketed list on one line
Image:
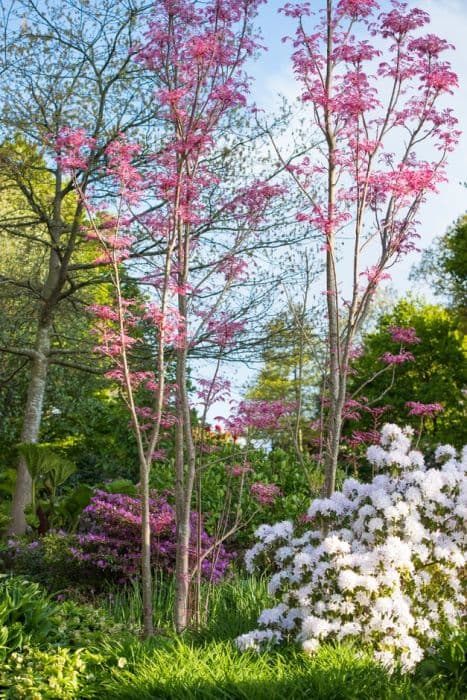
[(382, 91)]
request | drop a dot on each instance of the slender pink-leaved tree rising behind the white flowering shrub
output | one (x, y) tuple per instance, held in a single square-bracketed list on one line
[(374, 102)]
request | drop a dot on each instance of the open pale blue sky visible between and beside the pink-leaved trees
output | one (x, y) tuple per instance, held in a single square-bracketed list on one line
[(272, 74)]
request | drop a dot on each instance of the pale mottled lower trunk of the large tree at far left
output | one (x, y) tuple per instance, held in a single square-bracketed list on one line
[(31, 426)]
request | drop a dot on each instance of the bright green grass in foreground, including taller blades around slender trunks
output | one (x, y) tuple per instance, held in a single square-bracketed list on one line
[(206, 664)]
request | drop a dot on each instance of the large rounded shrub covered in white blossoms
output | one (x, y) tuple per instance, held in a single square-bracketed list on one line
[(383, 562)]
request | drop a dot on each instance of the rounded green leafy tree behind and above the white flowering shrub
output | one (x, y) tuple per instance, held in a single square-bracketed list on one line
[(438, 374)]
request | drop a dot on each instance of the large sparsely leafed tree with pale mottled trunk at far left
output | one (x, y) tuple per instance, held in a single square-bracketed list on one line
[(63, 65)]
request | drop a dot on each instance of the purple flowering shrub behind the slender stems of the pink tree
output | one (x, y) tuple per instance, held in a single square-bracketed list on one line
[(109, 540)]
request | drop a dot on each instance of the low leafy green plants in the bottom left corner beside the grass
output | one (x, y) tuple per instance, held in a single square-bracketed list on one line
[(49, 650)]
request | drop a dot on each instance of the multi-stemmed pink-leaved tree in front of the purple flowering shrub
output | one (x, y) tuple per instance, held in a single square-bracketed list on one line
[(196, 52)]
